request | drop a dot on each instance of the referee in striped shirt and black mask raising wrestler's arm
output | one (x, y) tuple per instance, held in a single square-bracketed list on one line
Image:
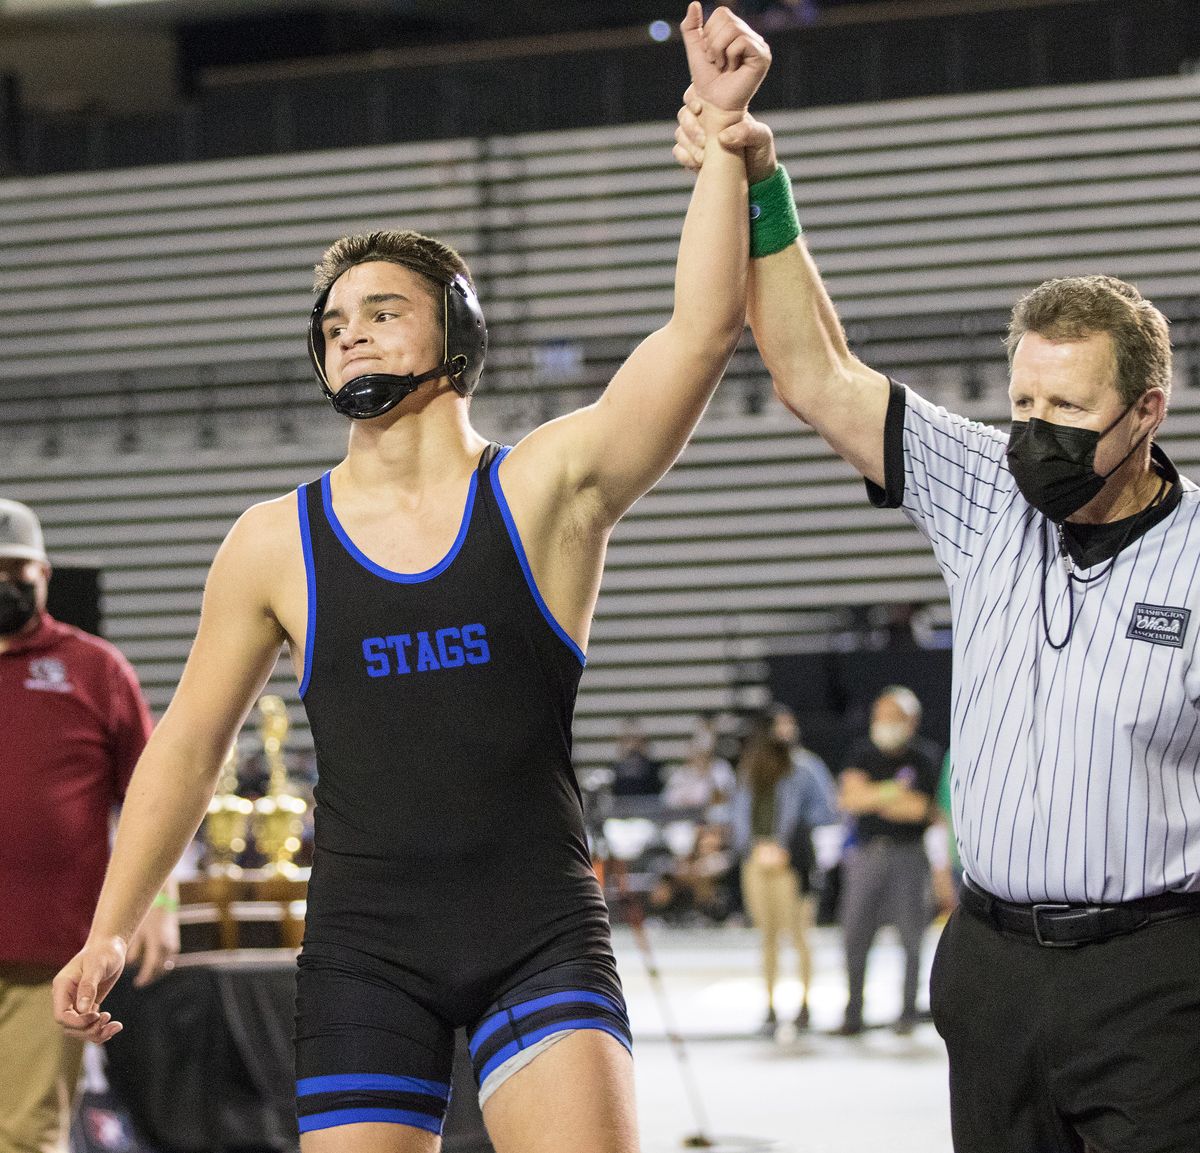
[(1067, 987)]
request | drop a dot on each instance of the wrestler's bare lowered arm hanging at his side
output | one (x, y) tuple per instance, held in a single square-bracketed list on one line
[(236, 650)]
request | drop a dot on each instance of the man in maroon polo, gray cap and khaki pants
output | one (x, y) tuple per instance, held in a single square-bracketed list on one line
[(73, 724)]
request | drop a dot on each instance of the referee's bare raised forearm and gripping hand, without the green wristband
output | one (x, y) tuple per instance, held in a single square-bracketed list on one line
[(795, 323)]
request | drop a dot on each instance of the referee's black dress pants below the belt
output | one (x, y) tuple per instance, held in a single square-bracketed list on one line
[(1064, 1050)]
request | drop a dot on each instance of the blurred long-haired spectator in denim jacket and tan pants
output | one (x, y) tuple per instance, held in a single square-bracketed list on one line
[(784, 791)]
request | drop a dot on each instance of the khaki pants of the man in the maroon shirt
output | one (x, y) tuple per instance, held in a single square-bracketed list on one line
[(39, 1065)]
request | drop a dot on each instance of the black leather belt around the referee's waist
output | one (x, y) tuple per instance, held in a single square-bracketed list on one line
[(1066, 926)]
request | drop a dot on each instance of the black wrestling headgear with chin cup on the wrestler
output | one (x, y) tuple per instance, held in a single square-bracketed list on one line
[(464, 349)]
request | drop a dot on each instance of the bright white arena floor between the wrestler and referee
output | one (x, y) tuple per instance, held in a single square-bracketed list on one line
[(813, 1094)]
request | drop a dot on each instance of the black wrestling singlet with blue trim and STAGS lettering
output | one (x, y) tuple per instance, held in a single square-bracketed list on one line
[(452, 884)]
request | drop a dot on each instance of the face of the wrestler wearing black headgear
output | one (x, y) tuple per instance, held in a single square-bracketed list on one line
[(381, 317)]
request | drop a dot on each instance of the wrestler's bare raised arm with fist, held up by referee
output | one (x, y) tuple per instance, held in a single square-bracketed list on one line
[(617, 448)]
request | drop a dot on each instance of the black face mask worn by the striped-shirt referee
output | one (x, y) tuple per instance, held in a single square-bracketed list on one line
[(1055, 465)]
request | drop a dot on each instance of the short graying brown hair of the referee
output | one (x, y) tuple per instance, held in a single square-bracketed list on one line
[(1072, 308)]
